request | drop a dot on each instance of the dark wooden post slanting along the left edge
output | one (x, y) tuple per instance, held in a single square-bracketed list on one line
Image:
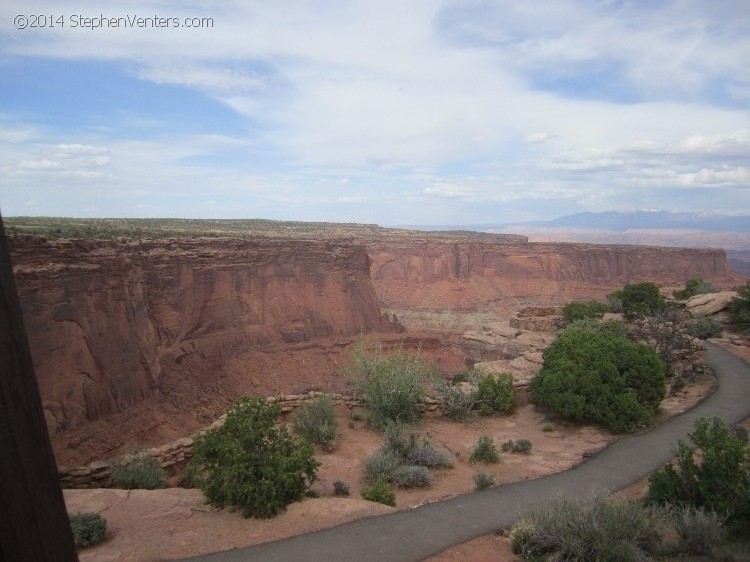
[(33, 521)]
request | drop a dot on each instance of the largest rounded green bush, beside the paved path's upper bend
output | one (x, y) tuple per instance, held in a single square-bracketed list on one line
[(591, 376)]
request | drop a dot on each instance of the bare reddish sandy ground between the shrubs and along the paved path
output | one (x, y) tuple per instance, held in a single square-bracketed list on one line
[(157, 525)]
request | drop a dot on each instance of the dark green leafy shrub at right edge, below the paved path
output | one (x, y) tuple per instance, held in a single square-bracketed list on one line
[(718, 482)]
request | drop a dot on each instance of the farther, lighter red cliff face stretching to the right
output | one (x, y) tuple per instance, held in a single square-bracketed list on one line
[(482, 275)]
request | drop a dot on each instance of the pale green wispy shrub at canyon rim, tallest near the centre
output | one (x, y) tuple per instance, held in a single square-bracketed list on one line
[(392, 383)]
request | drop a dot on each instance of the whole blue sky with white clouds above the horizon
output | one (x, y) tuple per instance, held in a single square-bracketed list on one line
[(392, 112)]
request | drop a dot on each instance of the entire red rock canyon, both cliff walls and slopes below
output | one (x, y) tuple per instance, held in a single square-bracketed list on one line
[(138, 341)]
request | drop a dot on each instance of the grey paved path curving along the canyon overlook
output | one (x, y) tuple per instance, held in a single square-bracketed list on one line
[(416, 534)]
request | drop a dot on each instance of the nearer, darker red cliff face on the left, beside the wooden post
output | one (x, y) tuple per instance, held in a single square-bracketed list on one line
[(110, 322)]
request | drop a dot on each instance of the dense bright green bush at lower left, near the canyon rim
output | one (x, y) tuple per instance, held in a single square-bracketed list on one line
[(251, 463)]
